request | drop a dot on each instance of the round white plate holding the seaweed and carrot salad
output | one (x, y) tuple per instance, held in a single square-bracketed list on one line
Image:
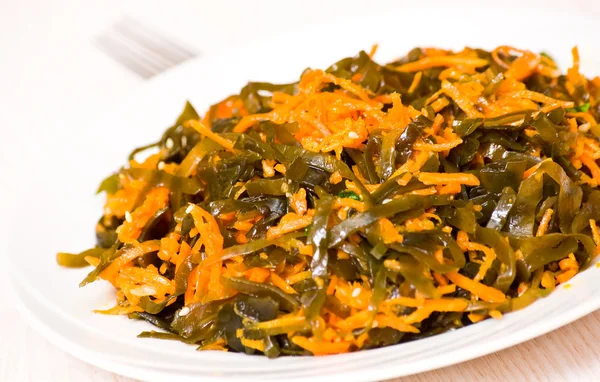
[(67, 165)]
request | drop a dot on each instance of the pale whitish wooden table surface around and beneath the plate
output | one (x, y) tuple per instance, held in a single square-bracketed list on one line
[(50, 72)]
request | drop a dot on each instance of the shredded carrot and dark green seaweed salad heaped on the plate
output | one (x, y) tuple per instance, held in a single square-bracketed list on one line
[(363, 206)]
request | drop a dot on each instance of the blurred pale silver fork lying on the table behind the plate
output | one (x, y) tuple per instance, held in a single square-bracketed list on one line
[(142, 50)]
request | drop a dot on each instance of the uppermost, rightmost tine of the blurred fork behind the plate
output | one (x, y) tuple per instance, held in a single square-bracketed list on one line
[(157, 43)]
